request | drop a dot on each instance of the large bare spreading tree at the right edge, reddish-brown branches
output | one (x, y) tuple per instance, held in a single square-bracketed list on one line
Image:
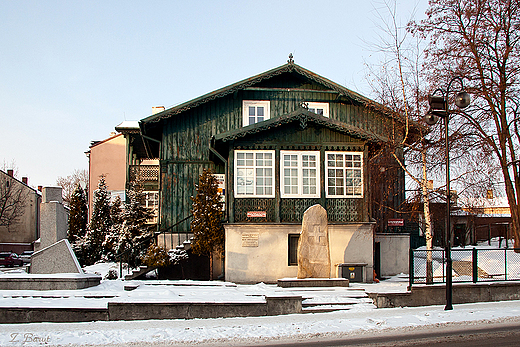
[(480, 40)]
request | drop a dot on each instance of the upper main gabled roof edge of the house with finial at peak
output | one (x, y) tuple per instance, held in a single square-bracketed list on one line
[(248, 82)]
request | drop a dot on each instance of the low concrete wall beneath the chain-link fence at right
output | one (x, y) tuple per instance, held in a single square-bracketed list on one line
[(426, 295)]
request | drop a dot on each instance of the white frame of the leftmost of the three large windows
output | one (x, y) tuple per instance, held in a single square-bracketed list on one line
[(253, 168)]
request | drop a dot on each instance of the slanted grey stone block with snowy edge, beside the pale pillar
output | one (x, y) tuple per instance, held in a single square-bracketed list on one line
[(57, 258)]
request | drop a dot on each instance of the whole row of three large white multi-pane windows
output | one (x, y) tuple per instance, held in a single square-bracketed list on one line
[(299, 174)]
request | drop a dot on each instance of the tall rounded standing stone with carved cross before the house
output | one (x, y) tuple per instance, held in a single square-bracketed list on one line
[(313, 246)]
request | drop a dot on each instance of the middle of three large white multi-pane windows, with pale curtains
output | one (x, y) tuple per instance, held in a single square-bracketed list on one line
[(299, 174)]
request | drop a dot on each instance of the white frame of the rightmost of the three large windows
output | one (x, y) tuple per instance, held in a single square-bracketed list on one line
[(350, 169)]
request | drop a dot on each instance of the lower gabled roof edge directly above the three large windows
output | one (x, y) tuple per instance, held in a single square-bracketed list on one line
[(303, 116)]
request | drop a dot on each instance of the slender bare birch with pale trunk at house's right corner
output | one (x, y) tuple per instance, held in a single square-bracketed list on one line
[(396, 83)]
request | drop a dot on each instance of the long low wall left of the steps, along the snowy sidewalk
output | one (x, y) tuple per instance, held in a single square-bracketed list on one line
[(274, 305)]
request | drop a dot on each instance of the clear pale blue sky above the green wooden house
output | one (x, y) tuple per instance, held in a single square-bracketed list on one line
[(70, 71)]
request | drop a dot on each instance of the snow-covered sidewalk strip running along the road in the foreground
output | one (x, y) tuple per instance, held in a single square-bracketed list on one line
[(252, 329)]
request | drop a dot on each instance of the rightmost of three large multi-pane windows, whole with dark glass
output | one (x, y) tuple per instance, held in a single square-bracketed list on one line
[(344, 174)]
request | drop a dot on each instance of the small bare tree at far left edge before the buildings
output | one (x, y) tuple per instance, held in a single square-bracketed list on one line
[(12, 200)]
